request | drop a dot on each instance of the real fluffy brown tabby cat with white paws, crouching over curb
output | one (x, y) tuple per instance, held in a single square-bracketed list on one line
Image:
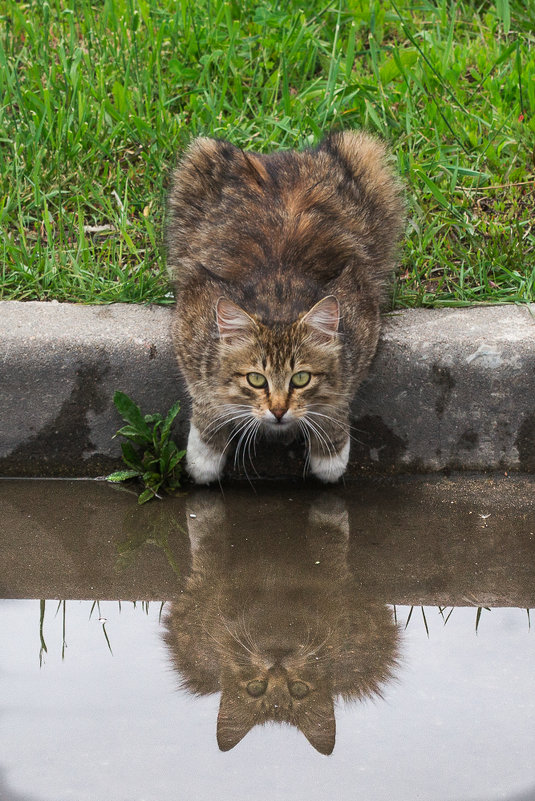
[(279, 263)]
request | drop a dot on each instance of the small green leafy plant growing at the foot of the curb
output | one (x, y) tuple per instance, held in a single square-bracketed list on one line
[(149, 453)]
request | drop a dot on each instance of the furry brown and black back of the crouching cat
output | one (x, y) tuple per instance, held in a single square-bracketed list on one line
[(236, 217)]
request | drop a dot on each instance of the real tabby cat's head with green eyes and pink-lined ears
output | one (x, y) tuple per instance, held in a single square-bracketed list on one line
[(282, 376)]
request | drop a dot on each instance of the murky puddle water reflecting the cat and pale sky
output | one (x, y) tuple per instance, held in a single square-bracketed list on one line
[(385, 624)]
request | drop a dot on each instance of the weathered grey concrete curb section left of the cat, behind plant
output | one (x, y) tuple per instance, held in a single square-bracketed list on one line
[(60, 366)]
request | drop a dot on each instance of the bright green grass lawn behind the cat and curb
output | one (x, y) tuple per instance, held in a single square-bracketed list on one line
[(97, 98)]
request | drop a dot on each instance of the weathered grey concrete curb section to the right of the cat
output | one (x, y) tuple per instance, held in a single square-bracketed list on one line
[(451, 389)]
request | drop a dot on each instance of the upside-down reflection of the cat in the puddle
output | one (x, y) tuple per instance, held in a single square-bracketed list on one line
[(276, 624)]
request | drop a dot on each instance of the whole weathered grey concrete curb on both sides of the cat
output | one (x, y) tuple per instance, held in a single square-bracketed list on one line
[(450, 389)]
